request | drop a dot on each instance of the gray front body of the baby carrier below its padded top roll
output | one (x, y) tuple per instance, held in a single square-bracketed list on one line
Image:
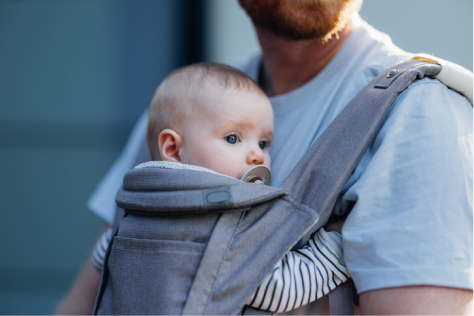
[(167, 250)]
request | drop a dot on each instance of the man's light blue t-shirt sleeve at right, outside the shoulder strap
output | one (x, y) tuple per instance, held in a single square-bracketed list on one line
[(412, 218)]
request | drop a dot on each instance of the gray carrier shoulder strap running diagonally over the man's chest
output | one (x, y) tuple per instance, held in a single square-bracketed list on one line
[(320, 175)]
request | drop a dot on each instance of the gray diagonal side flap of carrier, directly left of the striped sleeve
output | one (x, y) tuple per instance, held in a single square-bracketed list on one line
[(267, 231)]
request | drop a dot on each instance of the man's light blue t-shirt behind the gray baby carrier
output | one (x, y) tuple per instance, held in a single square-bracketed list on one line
[(412, 218)]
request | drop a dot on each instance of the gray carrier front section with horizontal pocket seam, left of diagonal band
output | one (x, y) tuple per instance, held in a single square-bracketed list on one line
[(170, 262)]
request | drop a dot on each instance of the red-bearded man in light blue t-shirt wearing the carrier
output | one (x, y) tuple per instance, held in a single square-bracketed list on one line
[(408, 239)]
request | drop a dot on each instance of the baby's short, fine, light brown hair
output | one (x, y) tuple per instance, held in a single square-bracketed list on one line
[(183, 87)]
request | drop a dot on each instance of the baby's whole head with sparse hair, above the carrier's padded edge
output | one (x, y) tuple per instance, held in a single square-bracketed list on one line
[(213, 116)]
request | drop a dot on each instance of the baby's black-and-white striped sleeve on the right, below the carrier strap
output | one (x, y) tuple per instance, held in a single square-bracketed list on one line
[(303, 275)]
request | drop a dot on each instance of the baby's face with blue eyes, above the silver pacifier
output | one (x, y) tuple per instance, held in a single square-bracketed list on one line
[(230, 134)]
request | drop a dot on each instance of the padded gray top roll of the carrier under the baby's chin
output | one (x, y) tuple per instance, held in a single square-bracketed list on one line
[(181, 191)]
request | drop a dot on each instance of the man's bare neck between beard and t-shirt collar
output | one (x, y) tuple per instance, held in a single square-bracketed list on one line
[(288, 65)]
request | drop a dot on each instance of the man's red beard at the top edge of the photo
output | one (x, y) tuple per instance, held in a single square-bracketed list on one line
[(301, 19)]
